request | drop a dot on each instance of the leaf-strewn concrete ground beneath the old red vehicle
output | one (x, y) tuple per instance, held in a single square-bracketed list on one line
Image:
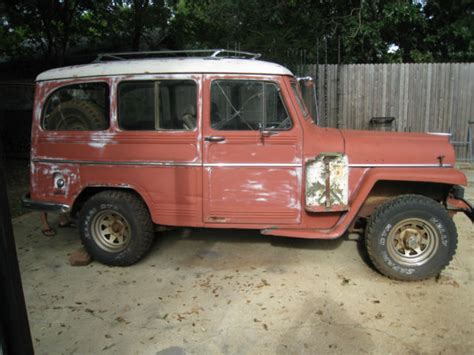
[(237, 292)]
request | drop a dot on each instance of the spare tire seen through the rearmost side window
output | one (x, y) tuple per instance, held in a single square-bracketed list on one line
[(77, 115)]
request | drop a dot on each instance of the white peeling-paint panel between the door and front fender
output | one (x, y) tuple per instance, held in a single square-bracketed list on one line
[(327, 181)]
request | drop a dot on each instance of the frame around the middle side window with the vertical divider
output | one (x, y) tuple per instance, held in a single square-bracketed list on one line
[(154, 80)]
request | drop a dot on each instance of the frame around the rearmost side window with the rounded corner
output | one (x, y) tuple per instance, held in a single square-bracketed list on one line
[(69, 84)]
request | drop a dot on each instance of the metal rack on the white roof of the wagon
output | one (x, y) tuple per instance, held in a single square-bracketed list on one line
[(204, 53)]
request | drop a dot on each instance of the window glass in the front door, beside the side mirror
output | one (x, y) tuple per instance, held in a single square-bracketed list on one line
[(247, 105)]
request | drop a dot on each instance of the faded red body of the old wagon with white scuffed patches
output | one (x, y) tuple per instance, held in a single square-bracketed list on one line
[(230, 178)]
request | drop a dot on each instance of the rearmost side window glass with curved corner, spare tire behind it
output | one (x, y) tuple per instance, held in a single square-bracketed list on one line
[(79, 107)]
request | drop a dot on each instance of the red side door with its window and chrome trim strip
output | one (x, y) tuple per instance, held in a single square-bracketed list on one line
[(252, 152)]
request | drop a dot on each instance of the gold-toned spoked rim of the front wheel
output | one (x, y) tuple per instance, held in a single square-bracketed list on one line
[(413, 242)]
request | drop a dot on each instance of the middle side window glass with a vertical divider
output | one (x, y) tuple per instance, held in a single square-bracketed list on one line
[(157, 105)]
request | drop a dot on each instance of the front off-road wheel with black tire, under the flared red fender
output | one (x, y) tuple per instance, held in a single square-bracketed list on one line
[(421, 212)]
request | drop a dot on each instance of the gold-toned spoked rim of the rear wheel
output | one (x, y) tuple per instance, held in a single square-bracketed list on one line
[(111, 231)]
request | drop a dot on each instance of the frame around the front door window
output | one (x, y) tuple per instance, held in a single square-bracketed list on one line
[(251, 79)]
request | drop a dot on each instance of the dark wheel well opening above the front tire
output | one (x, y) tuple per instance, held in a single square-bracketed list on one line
[(387, 189)]
